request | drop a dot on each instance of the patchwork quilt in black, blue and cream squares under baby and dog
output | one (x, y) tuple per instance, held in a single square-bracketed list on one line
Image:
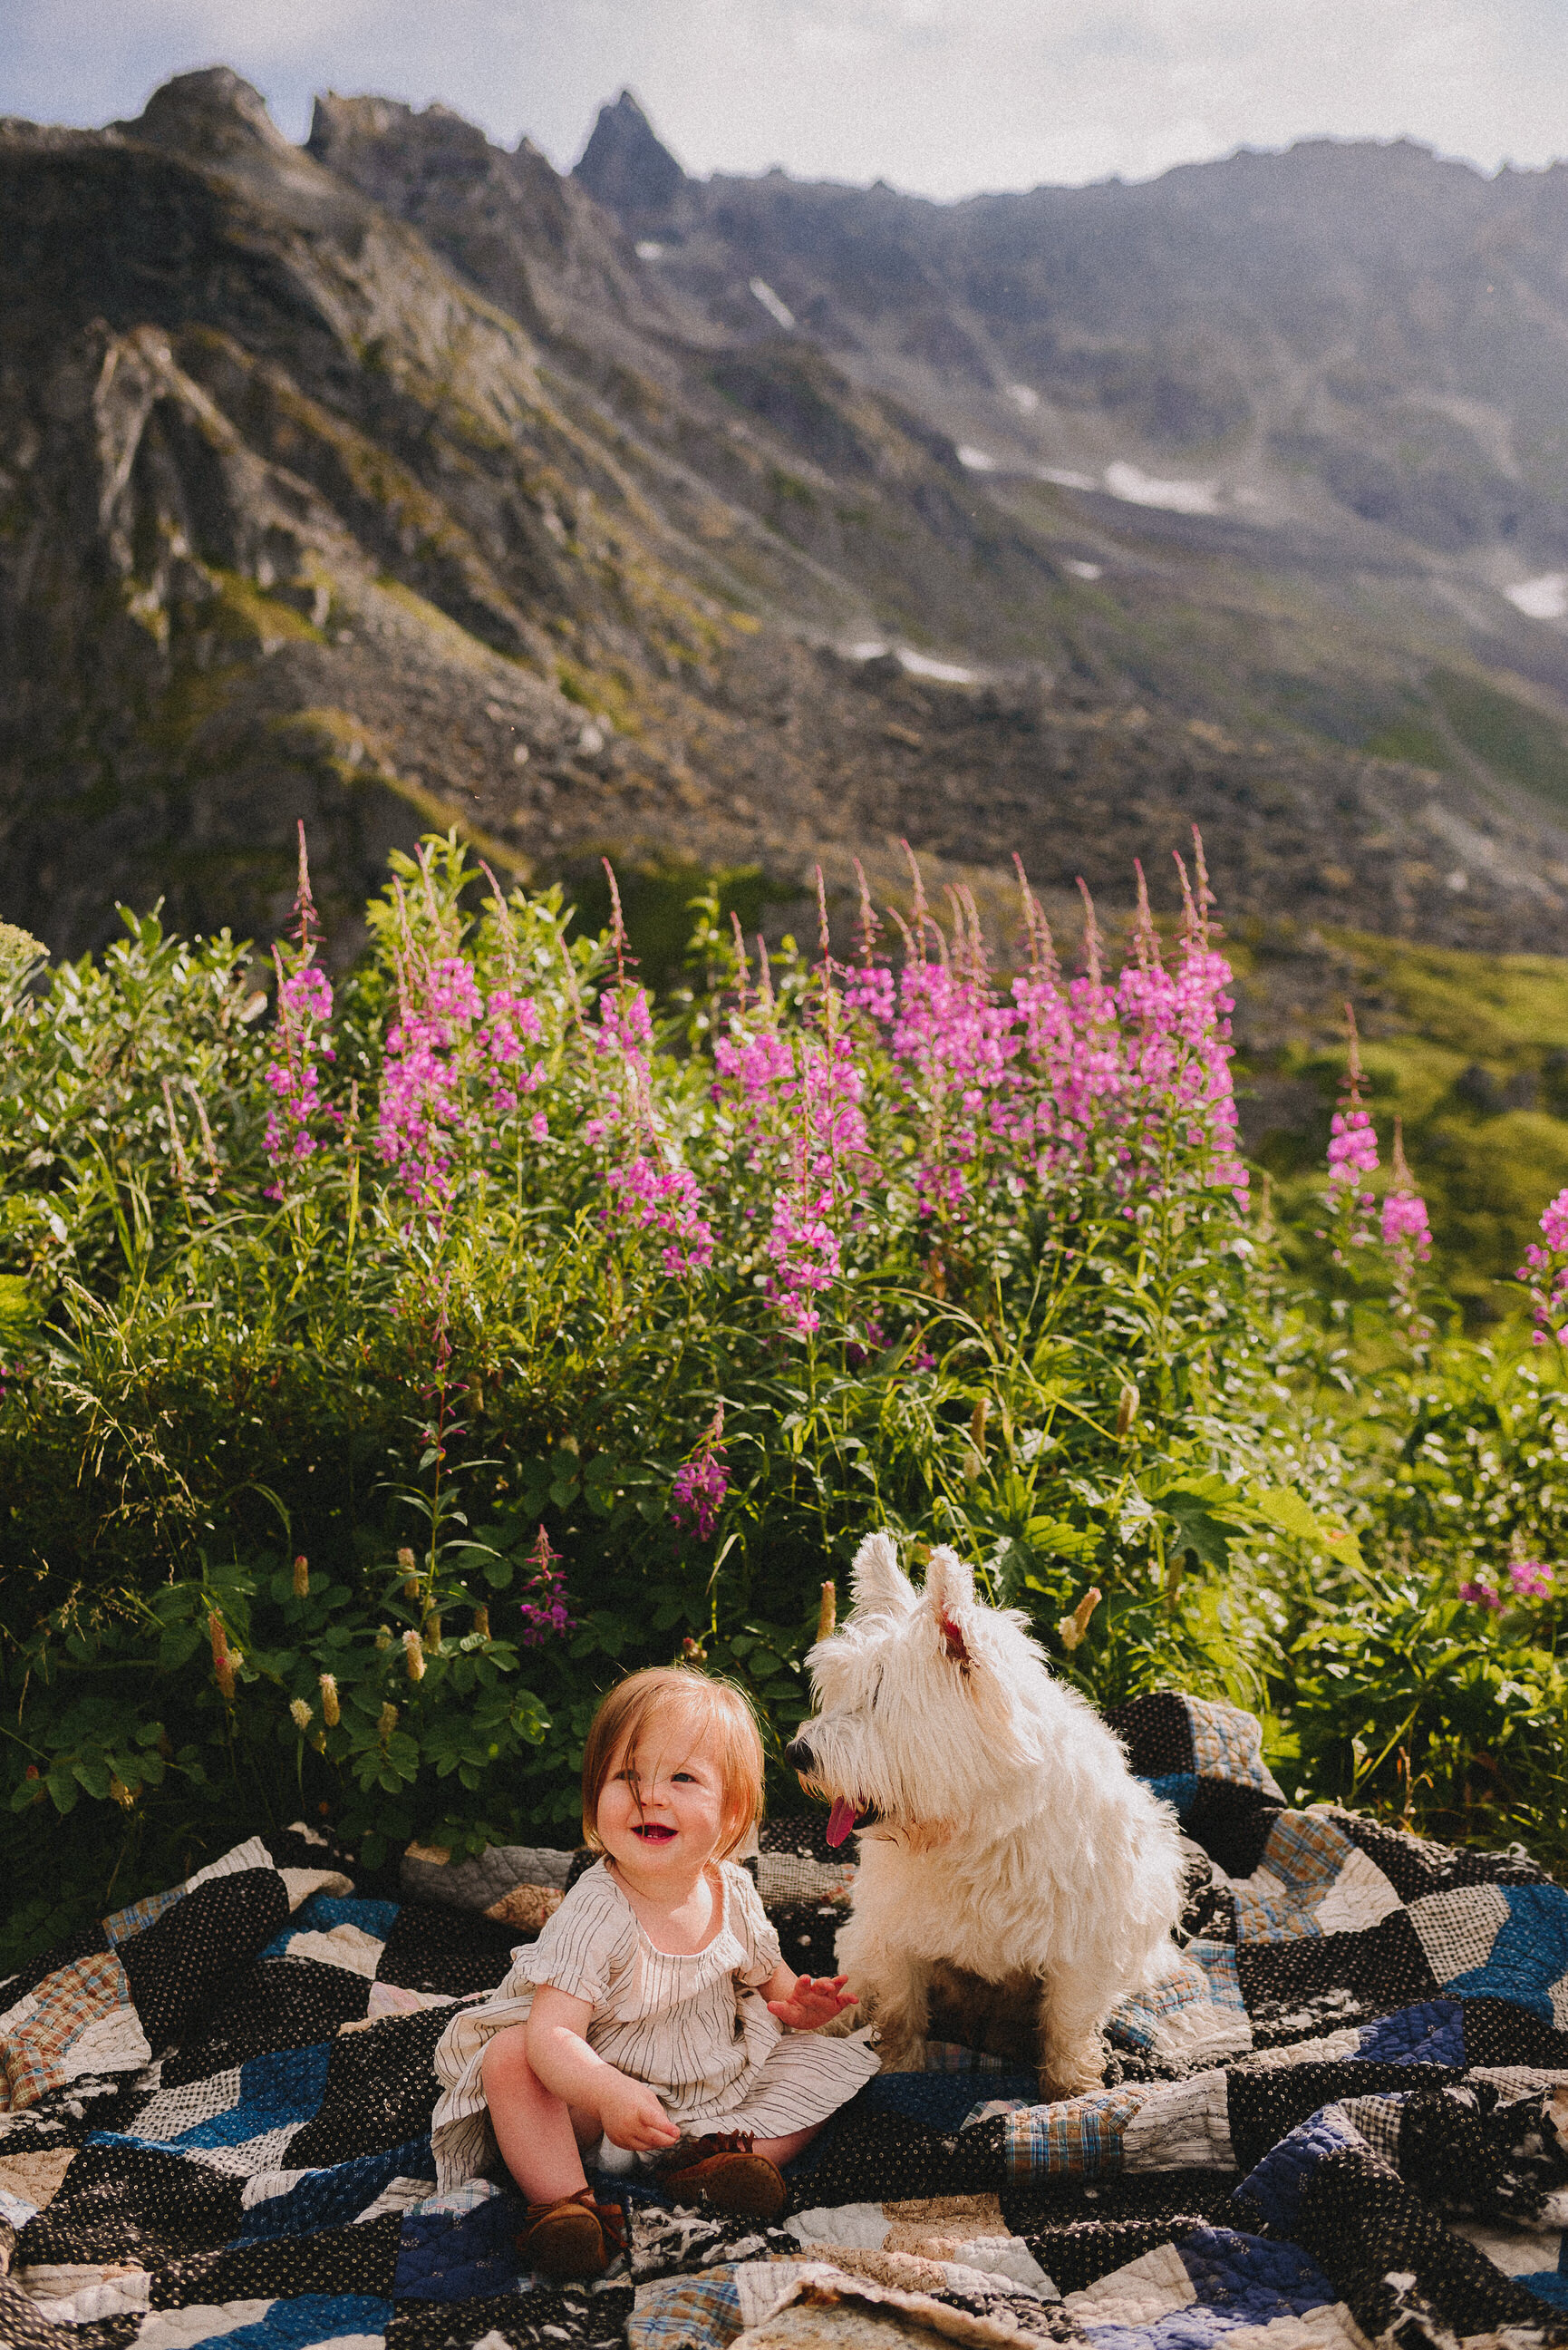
[(1346, 2119)]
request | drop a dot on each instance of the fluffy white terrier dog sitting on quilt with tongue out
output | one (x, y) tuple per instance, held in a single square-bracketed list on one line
[(1003, 1829)]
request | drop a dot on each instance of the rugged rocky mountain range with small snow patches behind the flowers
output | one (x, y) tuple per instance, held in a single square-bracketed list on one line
[(406, 481)]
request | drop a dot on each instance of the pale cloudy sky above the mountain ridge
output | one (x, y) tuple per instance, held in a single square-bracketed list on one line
[(934, 95)]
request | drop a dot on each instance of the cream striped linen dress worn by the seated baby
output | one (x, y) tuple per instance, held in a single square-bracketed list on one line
[(690, 2027)]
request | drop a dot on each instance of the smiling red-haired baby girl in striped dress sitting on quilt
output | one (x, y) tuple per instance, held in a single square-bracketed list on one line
[(655, 2013)]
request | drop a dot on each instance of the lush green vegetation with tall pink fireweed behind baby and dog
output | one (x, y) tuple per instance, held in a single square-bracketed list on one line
[(391, 1364)]
